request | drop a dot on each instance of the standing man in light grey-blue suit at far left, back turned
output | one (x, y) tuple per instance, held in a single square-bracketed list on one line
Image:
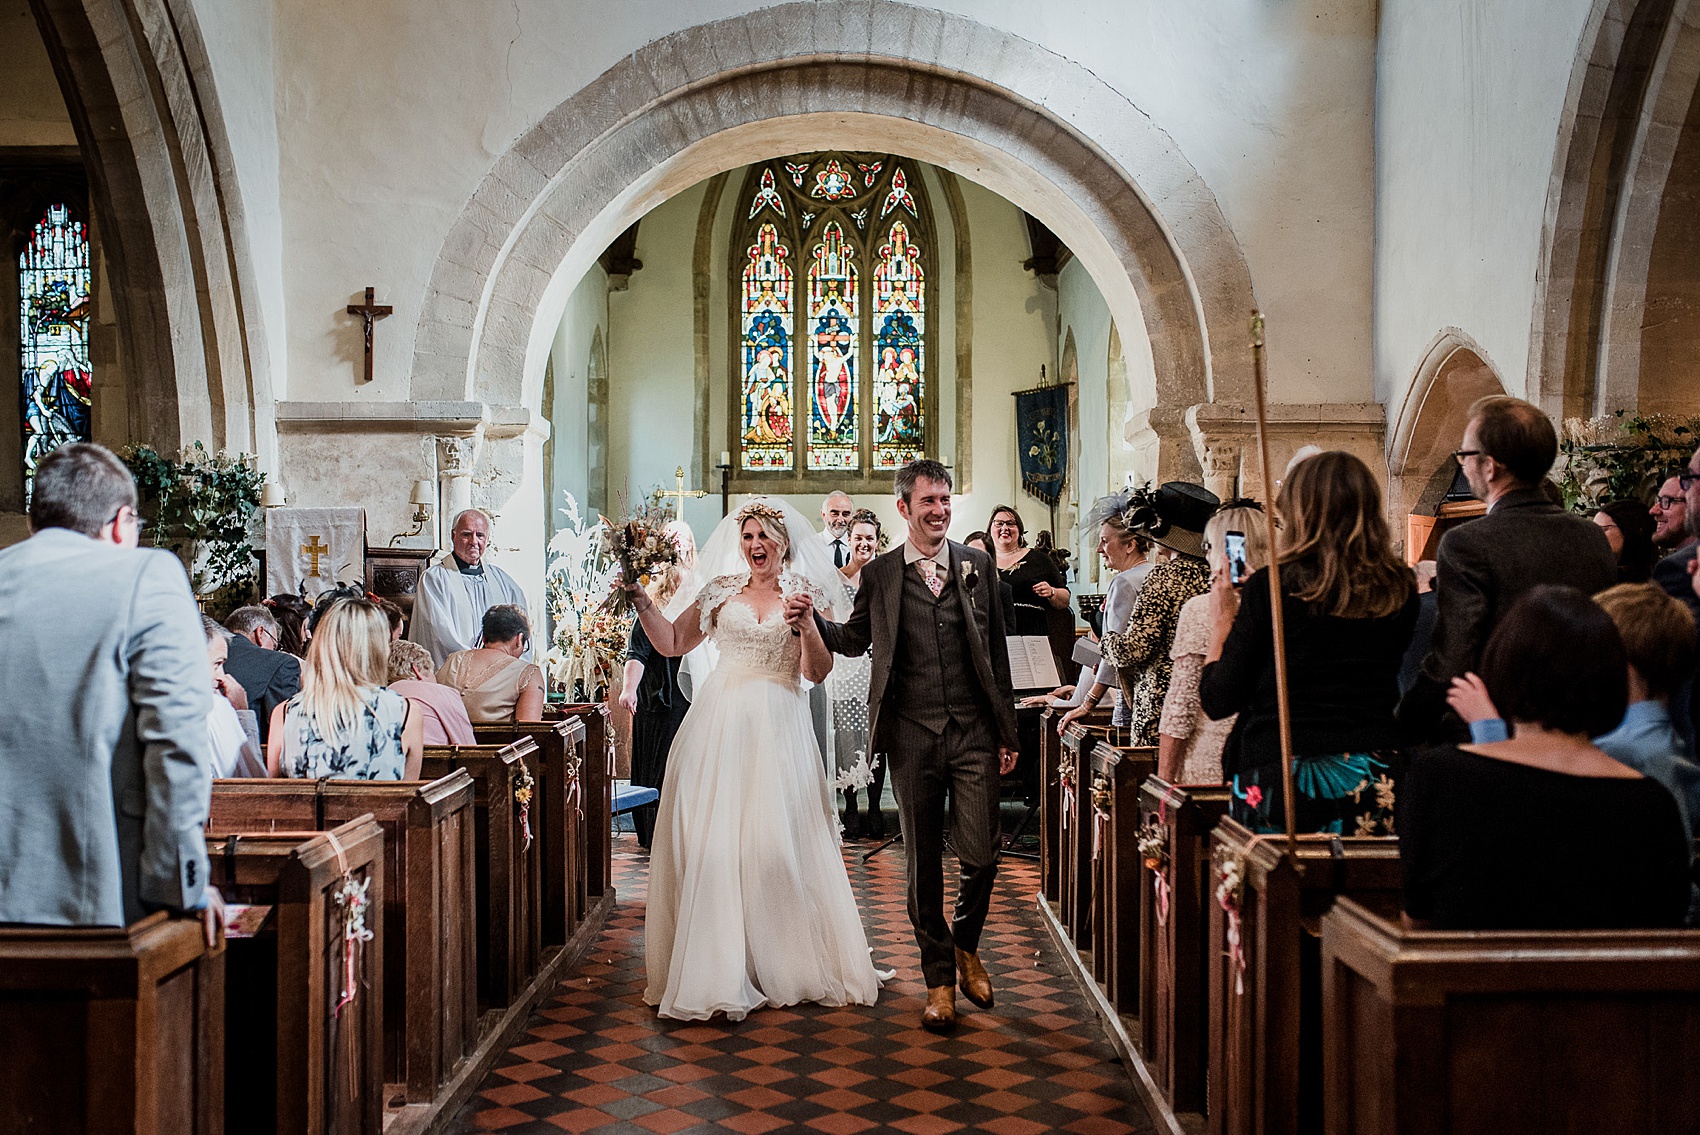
[(105, 754)]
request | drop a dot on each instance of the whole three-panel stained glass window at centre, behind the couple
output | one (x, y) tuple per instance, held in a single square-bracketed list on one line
[(813, 227)]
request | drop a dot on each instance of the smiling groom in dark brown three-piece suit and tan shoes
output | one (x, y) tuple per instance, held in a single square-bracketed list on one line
[(943, 713)]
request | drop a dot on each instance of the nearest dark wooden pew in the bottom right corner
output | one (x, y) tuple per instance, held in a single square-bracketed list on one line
[(1466, 1034)]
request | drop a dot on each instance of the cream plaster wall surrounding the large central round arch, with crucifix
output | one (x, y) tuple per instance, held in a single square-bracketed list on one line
[(392, 113)]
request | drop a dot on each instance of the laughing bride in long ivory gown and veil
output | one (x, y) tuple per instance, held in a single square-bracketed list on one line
[(749, 896)]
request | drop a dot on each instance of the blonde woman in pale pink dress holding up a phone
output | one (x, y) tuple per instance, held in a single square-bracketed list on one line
[(1189, 743)]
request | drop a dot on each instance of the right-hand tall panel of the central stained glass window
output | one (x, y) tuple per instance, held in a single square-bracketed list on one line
[(900, 325)]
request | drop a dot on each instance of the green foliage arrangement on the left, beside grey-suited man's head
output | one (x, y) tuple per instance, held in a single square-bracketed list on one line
[(201, 507)]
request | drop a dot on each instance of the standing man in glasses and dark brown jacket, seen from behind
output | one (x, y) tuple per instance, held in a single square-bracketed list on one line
[(1485, 565)]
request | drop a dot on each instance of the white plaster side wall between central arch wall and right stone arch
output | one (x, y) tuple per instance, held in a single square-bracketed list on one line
[(1470, 98)]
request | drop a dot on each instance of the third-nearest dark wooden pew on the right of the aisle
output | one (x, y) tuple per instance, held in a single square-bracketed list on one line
[(1176, 920)]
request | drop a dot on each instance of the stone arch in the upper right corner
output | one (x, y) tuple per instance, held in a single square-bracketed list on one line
[(1626, 110)]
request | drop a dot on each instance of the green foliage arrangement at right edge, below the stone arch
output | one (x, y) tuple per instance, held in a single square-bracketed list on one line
[(1623, 456)]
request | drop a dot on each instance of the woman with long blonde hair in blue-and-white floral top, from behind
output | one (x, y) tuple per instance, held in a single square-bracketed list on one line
[(346, 723)]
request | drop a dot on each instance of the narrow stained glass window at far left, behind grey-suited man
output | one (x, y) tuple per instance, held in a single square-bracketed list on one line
[(54, 313)]
